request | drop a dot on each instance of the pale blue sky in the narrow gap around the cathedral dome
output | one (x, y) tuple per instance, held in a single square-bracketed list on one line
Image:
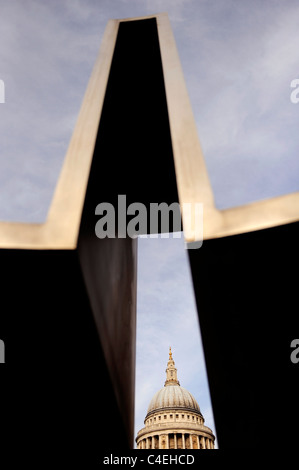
[(167, 317)]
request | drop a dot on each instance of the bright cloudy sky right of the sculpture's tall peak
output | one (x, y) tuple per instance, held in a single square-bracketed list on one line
[(239, 60)]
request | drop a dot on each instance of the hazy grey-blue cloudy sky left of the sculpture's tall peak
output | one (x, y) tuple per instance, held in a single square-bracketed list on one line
[(47, 55)]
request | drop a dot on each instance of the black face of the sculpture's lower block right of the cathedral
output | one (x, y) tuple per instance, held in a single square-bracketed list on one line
[(247, 294)]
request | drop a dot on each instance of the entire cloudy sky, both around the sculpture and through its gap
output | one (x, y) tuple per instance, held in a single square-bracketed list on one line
[(239, 59)]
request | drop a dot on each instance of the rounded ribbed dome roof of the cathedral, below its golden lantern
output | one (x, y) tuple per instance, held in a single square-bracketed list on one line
[(173, 396)]
